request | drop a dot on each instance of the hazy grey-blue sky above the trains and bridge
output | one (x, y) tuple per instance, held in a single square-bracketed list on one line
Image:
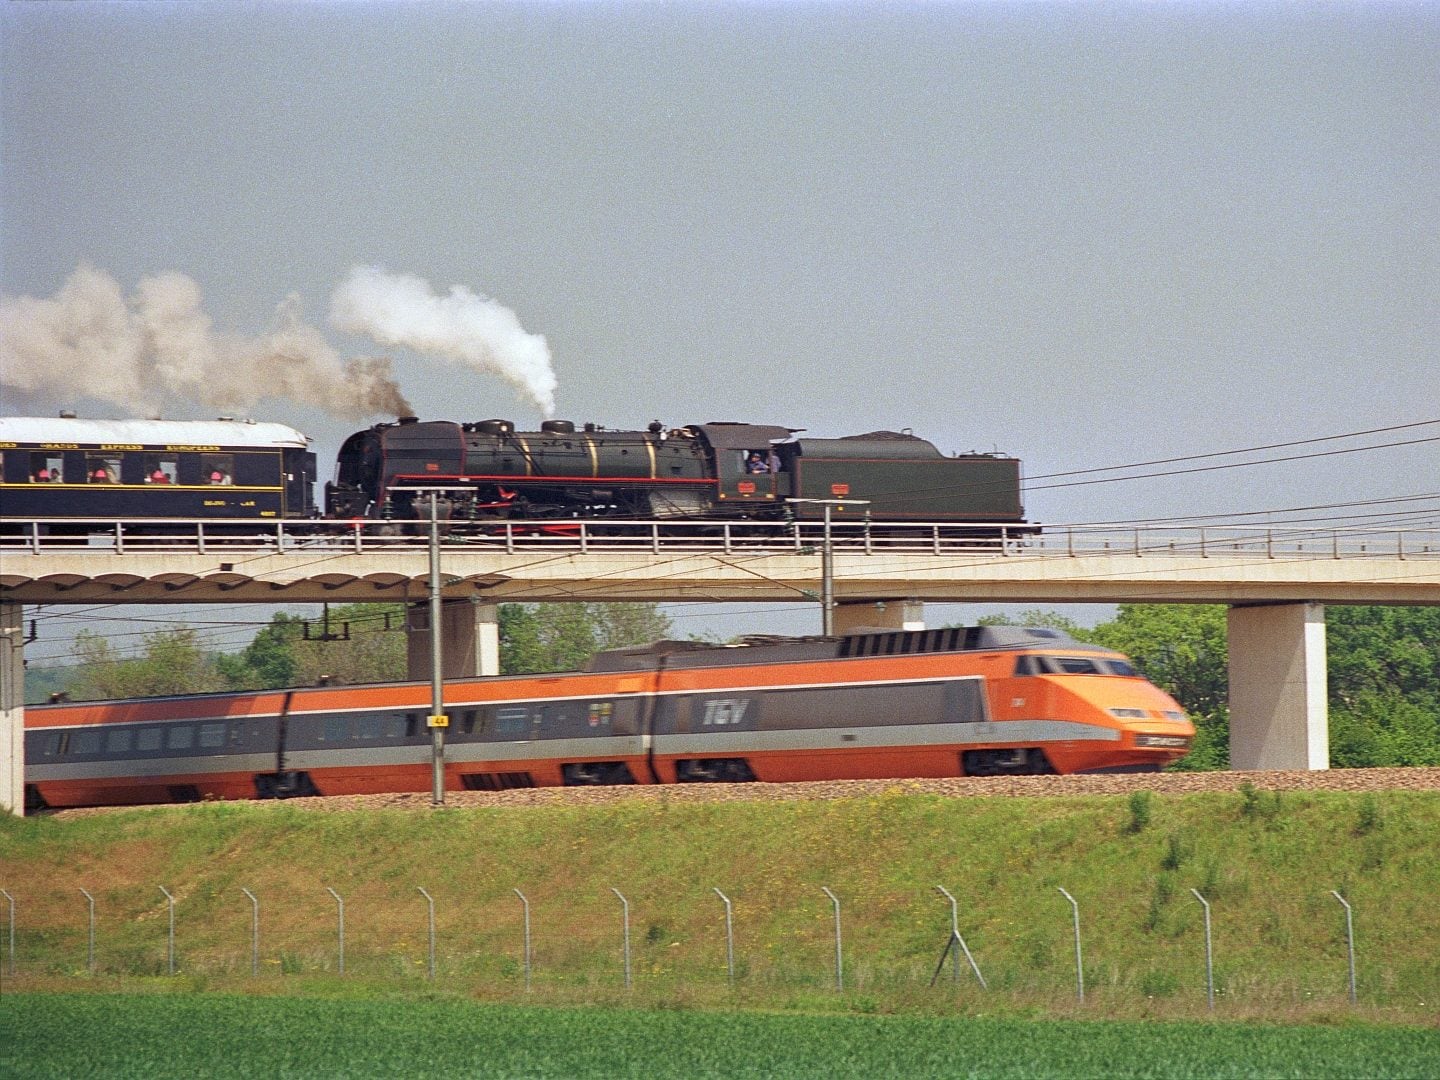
[(1085, 235)]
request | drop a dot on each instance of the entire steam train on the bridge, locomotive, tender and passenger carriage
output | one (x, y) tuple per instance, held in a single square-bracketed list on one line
[(489, 472)]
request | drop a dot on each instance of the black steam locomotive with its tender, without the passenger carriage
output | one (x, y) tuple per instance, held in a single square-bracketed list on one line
[(708, 472)]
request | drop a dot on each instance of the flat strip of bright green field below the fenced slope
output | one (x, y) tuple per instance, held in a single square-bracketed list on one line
[(234, 1036)]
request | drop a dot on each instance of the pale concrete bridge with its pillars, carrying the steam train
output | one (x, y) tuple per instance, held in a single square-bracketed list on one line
[(1277, 582)]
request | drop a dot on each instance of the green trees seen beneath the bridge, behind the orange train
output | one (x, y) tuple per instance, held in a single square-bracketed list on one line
[(1385, 663)]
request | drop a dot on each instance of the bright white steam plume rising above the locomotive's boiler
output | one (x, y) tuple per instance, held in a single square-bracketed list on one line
[(404, 312)]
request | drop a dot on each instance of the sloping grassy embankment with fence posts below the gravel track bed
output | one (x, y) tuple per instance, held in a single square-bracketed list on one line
[(1265, 863)]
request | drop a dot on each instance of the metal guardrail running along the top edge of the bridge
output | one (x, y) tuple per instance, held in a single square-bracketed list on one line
[(192, 536)]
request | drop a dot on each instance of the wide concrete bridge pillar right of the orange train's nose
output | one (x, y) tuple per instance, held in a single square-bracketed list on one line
[(1278, 688)]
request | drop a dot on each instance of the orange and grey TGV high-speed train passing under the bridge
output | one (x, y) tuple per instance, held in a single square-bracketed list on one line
[(960, 702)]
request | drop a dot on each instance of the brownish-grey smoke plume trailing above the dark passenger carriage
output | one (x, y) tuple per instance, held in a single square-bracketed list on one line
[(158, 348)]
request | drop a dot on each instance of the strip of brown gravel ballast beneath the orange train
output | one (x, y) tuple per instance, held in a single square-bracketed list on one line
[(1121, 784)]
